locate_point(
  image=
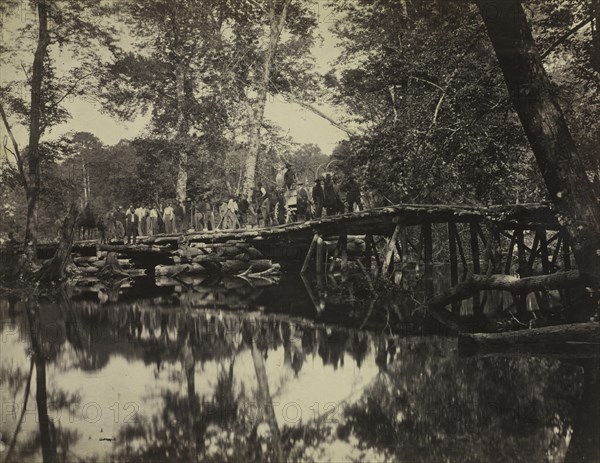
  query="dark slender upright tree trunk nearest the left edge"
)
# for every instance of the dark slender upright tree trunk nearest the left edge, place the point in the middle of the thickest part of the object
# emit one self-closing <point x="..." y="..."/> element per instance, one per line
<point x="35" y="130"/>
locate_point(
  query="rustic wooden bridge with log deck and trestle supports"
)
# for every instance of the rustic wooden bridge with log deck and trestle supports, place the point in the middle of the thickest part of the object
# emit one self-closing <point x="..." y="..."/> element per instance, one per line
<point x="494" y="239"/>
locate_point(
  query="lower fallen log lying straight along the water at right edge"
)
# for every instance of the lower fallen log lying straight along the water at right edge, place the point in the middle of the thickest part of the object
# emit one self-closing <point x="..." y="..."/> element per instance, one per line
<point x="585" y="334"/>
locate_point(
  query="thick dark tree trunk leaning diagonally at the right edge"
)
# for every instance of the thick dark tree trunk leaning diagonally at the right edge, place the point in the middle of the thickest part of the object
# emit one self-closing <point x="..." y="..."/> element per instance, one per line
<point x="542" y="118"/>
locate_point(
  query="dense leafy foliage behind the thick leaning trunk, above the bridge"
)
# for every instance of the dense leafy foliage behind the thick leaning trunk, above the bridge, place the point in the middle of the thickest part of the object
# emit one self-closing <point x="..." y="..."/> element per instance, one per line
<point x="438" y="126"/>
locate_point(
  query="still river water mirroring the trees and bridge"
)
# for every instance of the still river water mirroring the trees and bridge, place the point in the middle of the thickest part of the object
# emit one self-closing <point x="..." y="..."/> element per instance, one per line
<point x="222" y="370"/>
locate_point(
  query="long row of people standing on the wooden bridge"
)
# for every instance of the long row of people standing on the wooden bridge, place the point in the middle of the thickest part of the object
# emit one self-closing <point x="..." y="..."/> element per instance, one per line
<point x="267" y="206"/>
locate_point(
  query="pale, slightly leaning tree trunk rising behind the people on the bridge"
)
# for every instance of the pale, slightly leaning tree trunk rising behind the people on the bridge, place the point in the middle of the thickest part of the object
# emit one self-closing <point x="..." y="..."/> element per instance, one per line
<point x="277" y="23"/>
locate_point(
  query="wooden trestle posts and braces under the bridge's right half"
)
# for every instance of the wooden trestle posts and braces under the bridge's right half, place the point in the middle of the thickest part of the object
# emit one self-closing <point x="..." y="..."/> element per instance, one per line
<point x="476" y="247"/>
